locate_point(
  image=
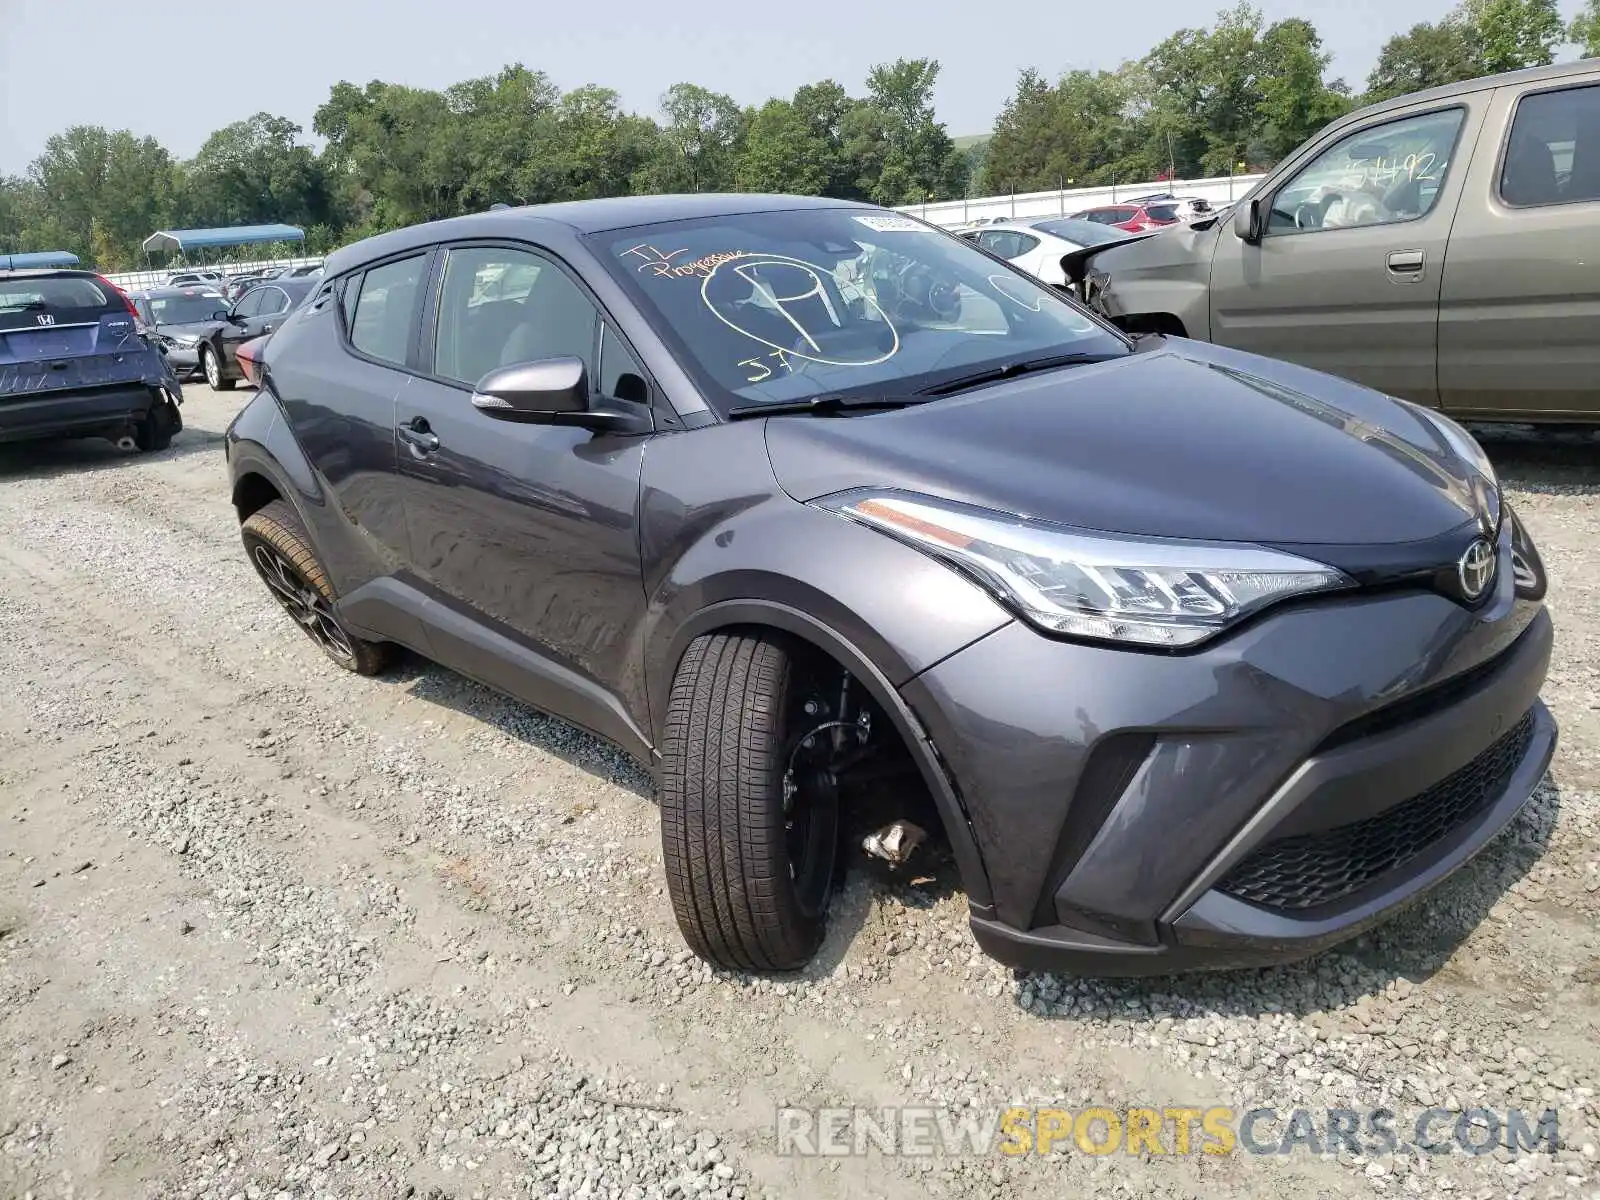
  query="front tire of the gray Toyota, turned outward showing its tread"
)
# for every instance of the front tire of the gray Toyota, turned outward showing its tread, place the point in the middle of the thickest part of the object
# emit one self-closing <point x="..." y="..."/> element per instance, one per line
<point x="750" y="868"/>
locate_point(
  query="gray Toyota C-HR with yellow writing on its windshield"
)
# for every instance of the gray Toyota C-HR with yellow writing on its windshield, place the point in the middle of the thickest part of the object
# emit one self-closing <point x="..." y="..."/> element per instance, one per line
<point x="1201" y="660"/>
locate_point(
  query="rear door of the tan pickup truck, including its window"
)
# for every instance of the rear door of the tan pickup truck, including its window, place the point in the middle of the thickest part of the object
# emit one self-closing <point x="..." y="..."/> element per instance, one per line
<point x="1519" y="329"/>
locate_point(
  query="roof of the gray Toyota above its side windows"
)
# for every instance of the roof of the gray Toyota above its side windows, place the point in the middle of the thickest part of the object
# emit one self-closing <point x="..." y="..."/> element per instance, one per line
<point x="582" y="217"/>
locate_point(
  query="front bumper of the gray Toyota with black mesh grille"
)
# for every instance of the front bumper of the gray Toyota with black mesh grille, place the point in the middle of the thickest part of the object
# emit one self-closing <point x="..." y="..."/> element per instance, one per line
<point x="1250" y="804"/>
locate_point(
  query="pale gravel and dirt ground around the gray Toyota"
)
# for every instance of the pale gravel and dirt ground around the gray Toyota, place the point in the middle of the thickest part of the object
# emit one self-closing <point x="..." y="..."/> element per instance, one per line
<point x="268" y="930"/>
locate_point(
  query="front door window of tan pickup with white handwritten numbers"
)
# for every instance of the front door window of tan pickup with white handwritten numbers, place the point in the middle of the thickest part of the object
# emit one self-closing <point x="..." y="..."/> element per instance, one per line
<point x="1374" y="177"/>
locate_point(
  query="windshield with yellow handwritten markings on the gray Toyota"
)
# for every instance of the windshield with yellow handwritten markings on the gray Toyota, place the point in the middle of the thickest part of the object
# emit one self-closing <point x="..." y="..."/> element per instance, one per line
<point x="820" y="302"/>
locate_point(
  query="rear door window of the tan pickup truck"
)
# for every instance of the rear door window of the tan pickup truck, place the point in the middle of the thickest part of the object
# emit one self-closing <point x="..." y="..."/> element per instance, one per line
<point x="1553" y="156"/>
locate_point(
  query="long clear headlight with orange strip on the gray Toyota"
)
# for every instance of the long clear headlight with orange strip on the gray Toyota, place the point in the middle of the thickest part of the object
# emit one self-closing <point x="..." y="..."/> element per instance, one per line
<point x="1103" y="586"/>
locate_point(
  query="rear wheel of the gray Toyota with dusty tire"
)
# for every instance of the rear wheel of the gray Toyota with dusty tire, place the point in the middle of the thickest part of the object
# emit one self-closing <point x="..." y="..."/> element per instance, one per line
<point x="281" y="551"/>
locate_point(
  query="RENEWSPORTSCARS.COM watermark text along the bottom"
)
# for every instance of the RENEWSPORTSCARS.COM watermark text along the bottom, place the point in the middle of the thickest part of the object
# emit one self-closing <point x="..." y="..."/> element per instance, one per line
<point x="1161" y="1130"/>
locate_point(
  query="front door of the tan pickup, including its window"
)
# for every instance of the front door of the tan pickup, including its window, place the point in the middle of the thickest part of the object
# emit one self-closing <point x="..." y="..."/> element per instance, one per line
<point x="1346" y="274"/>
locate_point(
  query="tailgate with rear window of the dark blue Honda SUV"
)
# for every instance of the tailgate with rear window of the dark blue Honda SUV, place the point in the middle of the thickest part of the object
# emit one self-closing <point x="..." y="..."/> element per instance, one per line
<point x="66" y="332"/>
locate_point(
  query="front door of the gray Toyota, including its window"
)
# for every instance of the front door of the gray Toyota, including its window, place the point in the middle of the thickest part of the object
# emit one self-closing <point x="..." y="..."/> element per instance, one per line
<point x="527" y="534"/>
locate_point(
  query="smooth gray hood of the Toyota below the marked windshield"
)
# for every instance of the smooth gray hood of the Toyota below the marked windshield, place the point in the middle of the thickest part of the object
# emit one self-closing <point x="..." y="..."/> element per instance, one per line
<point x="1180" y="441"/>
